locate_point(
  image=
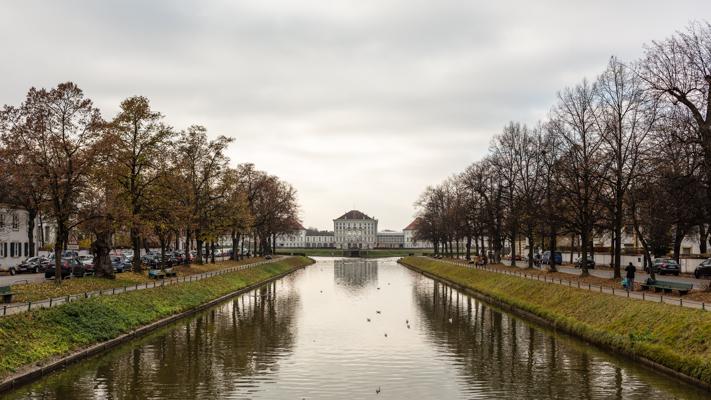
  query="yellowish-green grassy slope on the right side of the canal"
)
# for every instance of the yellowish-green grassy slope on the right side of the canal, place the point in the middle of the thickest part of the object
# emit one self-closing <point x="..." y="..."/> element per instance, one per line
<point x="678" y="338"/>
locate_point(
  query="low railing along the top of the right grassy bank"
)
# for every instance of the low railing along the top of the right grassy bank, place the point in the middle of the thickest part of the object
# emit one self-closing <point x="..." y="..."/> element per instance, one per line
<point x="678" y="301"/>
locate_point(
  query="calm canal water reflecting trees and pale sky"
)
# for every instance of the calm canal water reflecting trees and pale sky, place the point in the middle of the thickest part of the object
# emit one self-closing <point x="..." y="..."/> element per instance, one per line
<point x="308" y="336"/>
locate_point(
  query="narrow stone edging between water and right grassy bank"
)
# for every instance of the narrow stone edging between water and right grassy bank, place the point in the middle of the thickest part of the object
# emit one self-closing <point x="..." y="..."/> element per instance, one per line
<point x="527" y="315"/>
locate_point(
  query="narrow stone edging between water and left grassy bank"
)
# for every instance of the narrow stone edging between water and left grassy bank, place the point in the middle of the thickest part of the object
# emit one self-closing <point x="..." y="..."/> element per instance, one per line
<point x="38" y="371"/>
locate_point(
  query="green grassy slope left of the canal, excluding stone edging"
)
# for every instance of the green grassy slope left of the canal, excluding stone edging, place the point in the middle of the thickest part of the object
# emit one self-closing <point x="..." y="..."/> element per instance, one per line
<point x="34" y="337"/>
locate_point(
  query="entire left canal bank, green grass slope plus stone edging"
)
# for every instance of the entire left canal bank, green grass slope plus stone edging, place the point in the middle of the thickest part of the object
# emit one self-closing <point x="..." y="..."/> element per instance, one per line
<point x="31" y="344"/>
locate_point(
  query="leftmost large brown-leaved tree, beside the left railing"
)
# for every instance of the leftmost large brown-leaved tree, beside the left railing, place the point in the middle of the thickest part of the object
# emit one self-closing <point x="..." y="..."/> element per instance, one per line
<point x="56" y="131"/>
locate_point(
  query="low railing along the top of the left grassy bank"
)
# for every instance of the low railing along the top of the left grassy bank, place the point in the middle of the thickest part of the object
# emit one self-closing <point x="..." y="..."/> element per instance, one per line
<point x="16" y="308"/>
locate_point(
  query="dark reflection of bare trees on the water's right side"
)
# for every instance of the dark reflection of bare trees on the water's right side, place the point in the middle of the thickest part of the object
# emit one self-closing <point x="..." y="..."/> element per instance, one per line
<point x="505" y="357"/>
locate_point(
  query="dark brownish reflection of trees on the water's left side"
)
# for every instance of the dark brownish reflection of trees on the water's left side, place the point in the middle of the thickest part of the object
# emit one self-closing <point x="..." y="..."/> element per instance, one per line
<point x="219" y="352"/>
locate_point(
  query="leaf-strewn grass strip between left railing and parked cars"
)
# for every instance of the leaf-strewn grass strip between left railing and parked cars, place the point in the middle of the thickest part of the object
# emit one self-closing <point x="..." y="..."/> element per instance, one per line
<point x="48" y="289"/>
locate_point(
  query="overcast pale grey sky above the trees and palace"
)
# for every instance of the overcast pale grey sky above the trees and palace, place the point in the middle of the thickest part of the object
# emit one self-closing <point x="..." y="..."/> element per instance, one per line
<point x="358" y="104"/>
